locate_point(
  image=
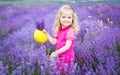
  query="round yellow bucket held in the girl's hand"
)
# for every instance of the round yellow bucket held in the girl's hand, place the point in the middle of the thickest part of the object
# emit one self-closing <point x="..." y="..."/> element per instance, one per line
<point x="40" y="36"/>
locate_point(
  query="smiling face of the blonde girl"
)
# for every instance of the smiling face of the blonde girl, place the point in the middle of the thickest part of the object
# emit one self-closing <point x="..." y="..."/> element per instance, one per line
<point x="66" y="18"/>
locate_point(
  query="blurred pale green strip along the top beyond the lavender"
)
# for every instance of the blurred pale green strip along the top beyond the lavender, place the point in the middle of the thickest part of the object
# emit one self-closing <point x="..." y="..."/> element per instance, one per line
<point x="59" y="1"/>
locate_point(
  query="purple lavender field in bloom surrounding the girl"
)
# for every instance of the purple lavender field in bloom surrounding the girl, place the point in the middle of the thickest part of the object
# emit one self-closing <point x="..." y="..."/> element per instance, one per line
<point x="97" y="46"/>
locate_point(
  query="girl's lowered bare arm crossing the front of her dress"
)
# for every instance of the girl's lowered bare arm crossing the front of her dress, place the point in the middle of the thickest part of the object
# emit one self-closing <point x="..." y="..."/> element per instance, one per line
<point x="63" y="49"/>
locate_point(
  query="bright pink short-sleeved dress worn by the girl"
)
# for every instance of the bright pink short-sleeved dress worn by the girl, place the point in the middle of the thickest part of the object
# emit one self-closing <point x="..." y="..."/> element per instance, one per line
<point x="68" y="56"/>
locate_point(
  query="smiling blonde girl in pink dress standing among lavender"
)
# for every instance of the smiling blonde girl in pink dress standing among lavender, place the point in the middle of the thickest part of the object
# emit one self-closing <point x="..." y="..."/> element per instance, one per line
<point x="65" y="28"/>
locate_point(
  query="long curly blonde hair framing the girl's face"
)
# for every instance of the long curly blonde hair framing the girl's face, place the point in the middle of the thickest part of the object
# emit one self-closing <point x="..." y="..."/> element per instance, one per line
<point x="57" y="24"/>
